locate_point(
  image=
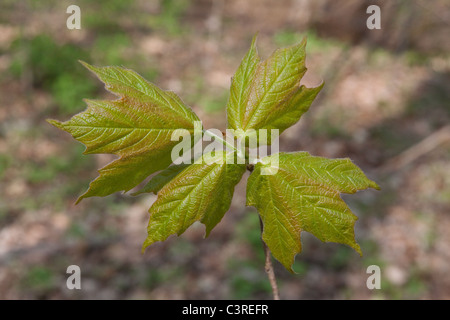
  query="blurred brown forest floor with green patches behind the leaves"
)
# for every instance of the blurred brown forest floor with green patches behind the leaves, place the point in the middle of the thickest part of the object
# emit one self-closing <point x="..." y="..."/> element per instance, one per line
<point x="385" y="104"/>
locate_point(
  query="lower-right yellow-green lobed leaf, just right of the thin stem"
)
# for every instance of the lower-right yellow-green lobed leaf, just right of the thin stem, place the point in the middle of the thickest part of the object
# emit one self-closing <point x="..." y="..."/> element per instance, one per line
<point x="303" y="194"/>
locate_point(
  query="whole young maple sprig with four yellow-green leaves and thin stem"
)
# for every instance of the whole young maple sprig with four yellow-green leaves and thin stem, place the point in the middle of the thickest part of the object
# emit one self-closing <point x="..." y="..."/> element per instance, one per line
<point x="296" y="193"/>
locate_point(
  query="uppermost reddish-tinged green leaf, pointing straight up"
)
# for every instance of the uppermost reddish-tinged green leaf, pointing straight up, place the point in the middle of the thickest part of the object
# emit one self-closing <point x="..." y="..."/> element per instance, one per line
<point x="268" y="94"/>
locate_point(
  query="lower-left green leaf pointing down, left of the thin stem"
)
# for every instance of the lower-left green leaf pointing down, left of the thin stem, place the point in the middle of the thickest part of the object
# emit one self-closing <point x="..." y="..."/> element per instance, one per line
<point x="201" y="192"/>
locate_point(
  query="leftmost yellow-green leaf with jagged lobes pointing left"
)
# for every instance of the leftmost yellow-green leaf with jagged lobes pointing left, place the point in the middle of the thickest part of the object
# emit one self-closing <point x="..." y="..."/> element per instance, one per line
<point x="137" y="127"/>
